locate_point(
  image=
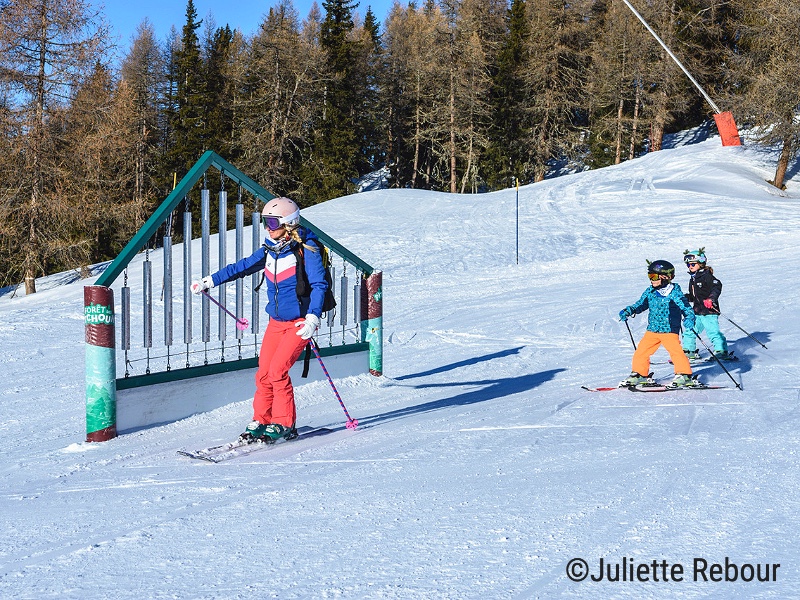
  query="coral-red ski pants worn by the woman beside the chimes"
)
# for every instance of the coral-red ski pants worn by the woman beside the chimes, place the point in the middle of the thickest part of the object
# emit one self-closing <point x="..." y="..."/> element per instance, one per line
<point x="274" y="398"/>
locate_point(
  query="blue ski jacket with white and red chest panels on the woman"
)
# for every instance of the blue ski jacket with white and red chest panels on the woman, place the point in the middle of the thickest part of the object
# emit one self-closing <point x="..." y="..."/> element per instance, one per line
<point x="280" y="270"/>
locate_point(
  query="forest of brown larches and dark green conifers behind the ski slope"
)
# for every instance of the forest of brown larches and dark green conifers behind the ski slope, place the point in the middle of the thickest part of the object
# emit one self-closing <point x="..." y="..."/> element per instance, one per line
<point x="464" y="96"/>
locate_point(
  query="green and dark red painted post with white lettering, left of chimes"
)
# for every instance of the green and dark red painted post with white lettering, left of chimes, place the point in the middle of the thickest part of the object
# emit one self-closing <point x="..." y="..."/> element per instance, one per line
<point x="101" y="371"/>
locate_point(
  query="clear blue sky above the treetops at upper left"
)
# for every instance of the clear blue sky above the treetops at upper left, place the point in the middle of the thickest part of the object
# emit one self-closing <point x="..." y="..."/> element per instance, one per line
<point x="125" y="15"/>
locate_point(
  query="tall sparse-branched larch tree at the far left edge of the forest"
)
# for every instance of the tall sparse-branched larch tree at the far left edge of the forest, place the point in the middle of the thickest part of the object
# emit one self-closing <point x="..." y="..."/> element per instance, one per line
<point x="46" y="48"/>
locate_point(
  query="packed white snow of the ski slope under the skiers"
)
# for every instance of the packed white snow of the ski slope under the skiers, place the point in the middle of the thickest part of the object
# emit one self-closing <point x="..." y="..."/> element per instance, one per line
<point x="480" y="468"/>
